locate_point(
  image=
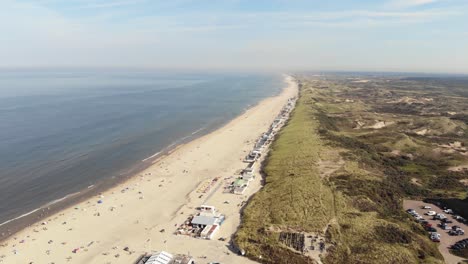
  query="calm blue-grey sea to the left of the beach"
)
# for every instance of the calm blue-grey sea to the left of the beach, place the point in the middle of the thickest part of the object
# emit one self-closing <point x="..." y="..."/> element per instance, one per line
<point x="61" y="131"/>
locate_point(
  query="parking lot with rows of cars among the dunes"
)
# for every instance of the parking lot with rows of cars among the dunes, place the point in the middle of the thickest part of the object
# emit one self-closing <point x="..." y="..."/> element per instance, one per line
<point x="446" y="240"/>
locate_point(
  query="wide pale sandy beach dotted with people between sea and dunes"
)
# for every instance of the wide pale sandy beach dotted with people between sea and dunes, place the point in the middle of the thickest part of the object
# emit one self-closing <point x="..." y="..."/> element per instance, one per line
<point x="134" y="213"/>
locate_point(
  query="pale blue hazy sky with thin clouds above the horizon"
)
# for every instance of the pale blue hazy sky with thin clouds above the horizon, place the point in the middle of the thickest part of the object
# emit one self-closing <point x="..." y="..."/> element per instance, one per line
<point x="390" y="35"/>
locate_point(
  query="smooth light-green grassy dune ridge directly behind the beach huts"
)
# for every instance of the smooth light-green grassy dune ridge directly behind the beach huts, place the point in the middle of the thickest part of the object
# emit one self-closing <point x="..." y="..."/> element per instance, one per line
<point x="294" y="197"/>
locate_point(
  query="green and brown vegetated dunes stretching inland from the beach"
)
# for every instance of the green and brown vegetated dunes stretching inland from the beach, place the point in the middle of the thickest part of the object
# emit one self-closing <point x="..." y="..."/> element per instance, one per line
<point x="341" y="167"/>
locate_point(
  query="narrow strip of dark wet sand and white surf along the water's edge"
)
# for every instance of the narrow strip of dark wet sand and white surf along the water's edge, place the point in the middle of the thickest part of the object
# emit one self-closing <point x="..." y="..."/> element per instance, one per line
<point x="12" y="226"/>
